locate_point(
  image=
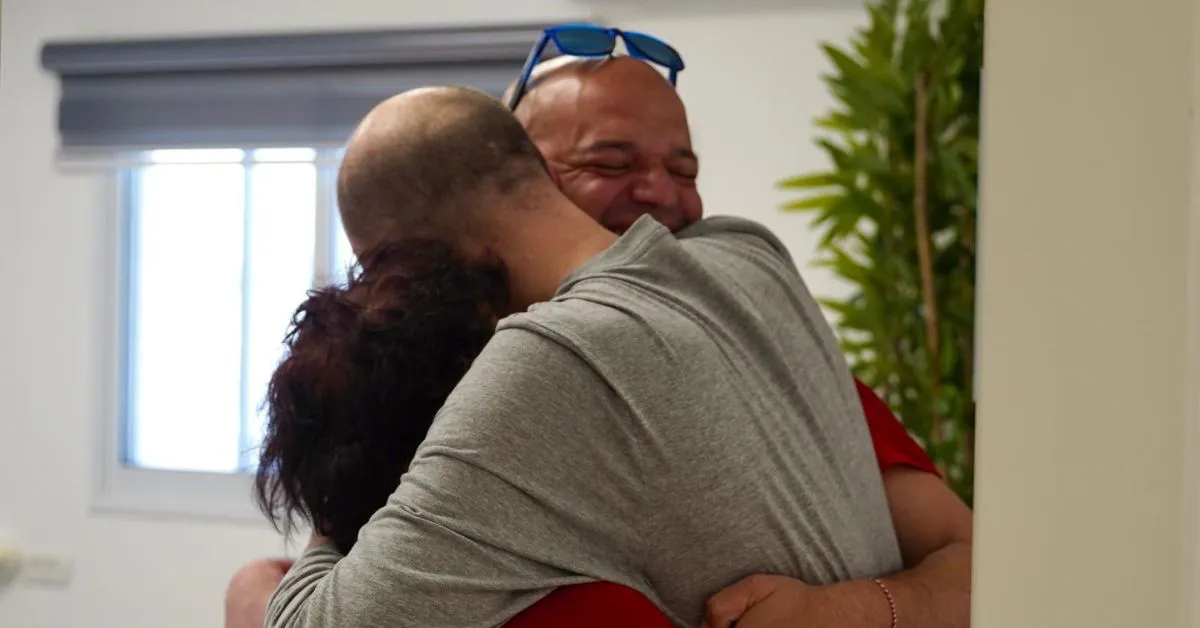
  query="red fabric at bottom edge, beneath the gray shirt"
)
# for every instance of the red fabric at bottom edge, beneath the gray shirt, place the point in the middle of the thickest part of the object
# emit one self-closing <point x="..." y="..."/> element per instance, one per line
<point x="592" y="606"/>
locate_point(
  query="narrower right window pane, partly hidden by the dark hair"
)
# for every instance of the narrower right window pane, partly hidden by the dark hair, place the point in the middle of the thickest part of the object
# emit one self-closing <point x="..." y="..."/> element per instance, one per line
<point x="283" y="237"/>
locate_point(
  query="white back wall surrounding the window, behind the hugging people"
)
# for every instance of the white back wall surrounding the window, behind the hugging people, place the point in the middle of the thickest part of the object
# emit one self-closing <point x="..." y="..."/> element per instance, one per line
<point x="752" y="88"/>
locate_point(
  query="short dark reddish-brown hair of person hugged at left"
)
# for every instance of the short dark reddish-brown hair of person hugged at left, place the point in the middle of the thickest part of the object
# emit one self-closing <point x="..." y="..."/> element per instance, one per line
<point x="369" y="366"/>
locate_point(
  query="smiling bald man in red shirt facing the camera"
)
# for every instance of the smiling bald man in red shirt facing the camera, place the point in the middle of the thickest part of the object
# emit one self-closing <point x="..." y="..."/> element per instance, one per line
<point x="617" y="141"/>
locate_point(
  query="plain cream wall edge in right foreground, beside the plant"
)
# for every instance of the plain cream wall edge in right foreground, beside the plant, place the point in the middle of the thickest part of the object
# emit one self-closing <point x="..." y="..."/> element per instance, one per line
<point x="1088" y="402"/>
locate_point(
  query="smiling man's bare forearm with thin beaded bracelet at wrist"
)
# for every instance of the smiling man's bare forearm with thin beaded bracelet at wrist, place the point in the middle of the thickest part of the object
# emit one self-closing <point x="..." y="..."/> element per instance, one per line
<point x="935" y="594"/>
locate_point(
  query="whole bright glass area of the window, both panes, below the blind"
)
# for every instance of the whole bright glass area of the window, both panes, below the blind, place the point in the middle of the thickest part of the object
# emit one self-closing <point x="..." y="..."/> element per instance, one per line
<point x="223" y="246"/>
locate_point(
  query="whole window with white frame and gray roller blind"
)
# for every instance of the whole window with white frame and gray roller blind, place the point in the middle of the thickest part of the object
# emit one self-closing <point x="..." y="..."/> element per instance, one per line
<point x="223" y="152"/>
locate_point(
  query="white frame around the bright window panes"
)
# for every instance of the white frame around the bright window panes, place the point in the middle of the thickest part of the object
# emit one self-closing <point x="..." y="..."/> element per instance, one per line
<point x="122" y="489"/>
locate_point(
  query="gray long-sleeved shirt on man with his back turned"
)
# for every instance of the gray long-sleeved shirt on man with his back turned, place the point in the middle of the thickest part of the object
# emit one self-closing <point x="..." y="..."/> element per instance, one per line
<point x="679" y="417"/>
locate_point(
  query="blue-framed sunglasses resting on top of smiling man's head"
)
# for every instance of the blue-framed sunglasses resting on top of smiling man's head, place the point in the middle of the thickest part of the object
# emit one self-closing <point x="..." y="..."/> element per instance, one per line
<point x="589" y="40"/>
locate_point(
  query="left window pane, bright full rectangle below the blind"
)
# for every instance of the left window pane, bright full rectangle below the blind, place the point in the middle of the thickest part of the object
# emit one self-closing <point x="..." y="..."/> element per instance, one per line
<point x="185" y="354"/>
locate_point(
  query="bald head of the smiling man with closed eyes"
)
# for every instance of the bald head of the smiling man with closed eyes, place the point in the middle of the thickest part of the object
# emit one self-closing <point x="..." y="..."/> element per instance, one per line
<point x="615" y="135"/>
